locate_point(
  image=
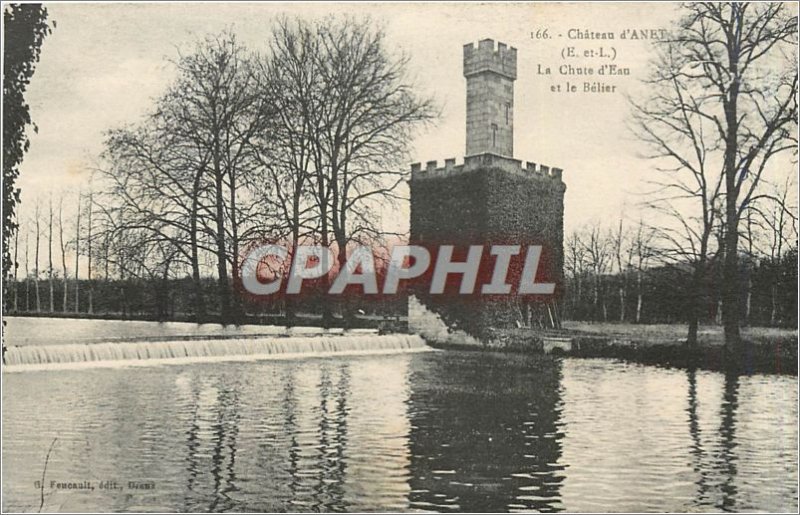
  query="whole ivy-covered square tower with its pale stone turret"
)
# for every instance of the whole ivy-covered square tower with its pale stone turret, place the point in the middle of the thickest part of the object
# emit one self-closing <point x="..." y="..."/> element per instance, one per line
<point x="491" y="198"/>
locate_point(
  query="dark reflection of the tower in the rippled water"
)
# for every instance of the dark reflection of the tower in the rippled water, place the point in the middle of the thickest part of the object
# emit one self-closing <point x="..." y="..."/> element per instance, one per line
<point x="486" y="434"/>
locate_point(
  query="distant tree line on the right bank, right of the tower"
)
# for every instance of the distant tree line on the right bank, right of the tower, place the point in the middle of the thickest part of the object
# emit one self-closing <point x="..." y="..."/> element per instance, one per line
<point x="631" y="274"/>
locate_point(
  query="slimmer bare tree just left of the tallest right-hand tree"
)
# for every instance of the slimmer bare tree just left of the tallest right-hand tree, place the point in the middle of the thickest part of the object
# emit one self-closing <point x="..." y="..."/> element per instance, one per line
<point x="688" y="190"/>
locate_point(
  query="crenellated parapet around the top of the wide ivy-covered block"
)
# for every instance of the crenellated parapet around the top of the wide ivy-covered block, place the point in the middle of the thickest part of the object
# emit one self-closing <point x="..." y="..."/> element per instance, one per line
<point x="528" y="169"/>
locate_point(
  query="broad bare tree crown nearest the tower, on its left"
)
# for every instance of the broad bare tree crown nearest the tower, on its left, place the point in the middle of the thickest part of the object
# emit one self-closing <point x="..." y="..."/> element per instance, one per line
<point x="356" y="113"/>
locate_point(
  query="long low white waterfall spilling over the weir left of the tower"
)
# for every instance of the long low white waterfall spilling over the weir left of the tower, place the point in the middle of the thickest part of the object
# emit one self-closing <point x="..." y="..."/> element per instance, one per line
<point x="78" y="355"/>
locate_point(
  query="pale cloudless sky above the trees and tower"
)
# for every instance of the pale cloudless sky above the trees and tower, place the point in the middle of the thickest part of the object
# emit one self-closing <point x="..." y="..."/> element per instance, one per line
<point x="104" y="65"/>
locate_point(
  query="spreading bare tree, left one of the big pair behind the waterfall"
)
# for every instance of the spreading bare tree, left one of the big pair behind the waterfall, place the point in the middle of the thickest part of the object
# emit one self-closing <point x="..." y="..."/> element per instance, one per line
<point x="185" y="177"/>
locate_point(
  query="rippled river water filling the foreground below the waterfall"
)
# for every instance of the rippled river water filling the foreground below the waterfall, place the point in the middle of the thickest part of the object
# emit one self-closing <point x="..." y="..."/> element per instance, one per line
<point x="441" y="431"/>
